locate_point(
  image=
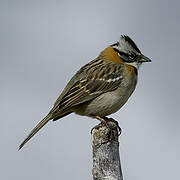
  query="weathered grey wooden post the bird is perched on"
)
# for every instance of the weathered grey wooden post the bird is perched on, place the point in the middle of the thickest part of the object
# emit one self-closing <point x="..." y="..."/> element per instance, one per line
<point x="106" y="159"/>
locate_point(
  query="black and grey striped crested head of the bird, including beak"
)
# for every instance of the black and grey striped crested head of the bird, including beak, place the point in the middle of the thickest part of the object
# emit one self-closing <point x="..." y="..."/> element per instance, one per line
<point x="129" y="52"/>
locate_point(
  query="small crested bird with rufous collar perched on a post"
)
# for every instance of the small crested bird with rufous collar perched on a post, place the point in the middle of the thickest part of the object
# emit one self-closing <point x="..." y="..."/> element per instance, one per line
<point x="100" y="87"/>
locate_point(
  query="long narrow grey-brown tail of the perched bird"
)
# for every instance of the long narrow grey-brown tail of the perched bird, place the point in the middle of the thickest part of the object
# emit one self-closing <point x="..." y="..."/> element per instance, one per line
<point x="36" y="129"/>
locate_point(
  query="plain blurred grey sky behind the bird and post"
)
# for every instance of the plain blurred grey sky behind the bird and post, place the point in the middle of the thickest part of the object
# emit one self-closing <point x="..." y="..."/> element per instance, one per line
<point x="43" y="43"/>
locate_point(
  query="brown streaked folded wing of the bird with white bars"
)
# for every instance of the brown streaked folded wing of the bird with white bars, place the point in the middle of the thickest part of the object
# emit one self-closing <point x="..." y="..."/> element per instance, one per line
<point x="90" y="81"/>
